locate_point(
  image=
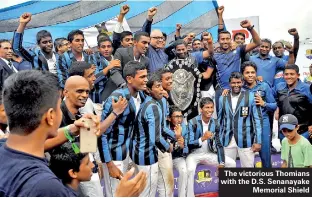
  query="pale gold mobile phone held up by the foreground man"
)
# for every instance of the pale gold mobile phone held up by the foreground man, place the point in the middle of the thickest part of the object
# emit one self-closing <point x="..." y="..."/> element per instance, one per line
<point x="88" y="139"/>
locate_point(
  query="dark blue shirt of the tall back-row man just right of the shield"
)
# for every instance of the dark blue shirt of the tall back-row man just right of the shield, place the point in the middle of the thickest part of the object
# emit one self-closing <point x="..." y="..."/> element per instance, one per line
<point x="228" y="63"/>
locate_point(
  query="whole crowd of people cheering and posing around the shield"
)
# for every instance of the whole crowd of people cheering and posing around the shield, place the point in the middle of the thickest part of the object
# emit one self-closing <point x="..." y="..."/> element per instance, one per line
<point x="155" y="107"/>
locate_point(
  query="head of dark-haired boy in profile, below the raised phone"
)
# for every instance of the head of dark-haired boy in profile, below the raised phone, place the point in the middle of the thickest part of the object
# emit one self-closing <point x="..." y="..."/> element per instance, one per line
<point x="71" y="168"/>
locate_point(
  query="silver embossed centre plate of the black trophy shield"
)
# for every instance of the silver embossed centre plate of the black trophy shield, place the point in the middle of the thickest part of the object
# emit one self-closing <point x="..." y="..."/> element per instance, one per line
<point x="182" y="88"/>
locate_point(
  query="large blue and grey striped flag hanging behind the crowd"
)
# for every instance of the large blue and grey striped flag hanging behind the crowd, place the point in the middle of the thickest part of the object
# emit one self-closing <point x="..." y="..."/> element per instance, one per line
<point x="60" y="17"/>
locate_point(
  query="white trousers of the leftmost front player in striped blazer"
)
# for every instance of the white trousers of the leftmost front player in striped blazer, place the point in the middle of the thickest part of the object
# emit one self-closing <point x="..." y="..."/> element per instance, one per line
<point x="111" y="183"/>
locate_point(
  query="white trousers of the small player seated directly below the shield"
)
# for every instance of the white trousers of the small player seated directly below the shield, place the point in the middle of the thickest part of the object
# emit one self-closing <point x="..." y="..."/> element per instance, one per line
<point x="180" y="165"/>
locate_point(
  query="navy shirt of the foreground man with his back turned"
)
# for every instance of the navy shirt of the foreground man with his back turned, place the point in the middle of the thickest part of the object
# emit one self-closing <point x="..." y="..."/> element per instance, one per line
<point x="25" y="175"/>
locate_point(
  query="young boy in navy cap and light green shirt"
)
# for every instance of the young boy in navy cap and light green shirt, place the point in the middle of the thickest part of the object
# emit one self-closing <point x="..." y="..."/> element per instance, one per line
<point x="296" y="150"/>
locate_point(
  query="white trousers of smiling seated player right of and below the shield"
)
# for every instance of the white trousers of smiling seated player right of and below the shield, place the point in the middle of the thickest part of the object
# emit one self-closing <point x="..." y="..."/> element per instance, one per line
<point x="202" y="156"/>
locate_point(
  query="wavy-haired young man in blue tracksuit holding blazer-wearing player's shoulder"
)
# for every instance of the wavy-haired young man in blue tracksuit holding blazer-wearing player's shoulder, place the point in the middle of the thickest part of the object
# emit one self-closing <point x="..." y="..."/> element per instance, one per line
<point x="265" y="100"/>
